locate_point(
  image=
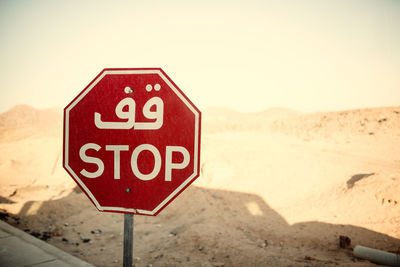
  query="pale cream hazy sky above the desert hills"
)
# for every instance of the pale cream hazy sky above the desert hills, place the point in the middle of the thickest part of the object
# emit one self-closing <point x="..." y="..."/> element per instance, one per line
<point x="244" y="55"/>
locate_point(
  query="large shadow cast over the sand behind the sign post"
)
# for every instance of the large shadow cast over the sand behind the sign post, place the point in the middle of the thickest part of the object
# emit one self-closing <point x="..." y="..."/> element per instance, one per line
<point x="202" y="227"/>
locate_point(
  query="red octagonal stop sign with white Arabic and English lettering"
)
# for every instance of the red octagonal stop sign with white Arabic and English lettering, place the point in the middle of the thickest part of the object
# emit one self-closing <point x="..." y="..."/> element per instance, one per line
<point x="132" y="140"/>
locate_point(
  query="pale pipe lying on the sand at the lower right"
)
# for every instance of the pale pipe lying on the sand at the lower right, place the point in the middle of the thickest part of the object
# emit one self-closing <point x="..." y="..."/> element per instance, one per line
<point x="377" y="256"/>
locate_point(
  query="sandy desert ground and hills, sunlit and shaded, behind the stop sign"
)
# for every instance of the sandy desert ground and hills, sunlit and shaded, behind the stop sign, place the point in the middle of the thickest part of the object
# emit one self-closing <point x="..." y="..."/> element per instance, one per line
<point x="277" y="188"/>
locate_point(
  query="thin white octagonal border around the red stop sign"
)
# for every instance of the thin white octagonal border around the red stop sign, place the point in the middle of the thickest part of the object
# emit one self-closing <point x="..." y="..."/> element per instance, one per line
<point x="196" y="139"/>
